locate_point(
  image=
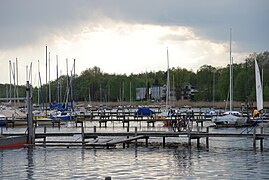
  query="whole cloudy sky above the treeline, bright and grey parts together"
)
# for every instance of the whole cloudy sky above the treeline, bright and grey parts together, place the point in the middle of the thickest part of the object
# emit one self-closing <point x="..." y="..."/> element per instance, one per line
<point x="125" y="37"/>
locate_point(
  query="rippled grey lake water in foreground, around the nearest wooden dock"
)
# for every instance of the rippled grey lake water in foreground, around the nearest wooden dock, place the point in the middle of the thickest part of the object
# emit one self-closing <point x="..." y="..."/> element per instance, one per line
<point x="232" y="158"/>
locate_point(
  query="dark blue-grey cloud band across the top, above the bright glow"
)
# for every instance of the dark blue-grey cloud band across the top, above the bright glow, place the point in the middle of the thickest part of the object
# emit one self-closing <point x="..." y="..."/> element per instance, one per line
<point x="28" y="21"/>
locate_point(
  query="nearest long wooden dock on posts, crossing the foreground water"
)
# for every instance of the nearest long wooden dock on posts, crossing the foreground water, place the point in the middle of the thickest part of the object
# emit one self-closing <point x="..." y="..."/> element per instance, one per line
<point x="95" y="139"/>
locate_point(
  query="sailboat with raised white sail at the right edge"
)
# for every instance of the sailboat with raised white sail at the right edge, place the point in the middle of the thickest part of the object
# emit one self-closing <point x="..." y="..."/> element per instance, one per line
<point x="263" y="119"/>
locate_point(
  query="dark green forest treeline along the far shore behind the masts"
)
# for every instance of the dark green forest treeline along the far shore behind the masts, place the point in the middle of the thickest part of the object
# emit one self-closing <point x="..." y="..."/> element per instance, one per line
<point x="211" y="83"/>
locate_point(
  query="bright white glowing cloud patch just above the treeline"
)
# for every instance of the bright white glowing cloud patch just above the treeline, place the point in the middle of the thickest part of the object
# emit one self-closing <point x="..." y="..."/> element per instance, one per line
<point x="122" y="48"/>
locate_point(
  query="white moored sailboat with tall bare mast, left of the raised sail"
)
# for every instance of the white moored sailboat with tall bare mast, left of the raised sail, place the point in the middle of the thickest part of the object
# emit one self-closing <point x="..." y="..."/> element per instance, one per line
<point x="230" y="117"/>
